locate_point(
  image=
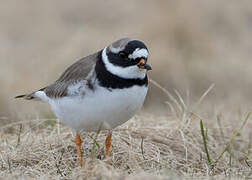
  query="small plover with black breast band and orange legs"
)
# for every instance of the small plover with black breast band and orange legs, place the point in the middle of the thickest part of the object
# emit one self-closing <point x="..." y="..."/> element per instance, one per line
<point x="100" y="91"/>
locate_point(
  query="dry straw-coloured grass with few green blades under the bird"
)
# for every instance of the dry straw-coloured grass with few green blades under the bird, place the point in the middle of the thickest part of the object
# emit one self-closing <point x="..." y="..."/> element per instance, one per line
<point x="181" y="145"/>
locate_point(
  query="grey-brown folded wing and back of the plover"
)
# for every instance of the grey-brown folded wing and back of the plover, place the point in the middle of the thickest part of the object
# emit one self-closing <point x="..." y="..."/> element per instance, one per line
<point x="76" y="72"/>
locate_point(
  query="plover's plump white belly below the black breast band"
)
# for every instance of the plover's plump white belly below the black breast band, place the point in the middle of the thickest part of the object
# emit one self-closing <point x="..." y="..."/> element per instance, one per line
<point x="99" y="109"/>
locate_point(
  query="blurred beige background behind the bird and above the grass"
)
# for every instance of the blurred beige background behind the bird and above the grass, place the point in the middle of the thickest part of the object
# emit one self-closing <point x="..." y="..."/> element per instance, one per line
<point x="192" y="45"/>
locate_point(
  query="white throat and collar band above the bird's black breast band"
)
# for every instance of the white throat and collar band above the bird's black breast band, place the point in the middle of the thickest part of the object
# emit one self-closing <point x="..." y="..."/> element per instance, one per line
<point x="130" y="72"/>
